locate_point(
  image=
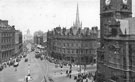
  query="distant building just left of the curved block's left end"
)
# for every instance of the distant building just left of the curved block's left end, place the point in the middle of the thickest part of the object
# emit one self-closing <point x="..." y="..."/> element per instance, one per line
<point x="38" y="38"/>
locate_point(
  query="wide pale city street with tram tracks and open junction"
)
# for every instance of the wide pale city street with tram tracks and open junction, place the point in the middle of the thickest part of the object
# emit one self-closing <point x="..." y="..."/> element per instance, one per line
<point x="39" y="70"/>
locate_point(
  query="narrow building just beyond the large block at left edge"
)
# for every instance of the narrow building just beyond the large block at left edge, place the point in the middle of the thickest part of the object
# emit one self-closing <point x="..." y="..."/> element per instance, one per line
<point x="18" y="43"/>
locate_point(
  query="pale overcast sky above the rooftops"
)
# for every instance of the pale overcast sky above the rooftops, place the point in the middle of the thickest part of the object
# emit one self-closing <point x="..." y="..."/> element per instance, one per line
<point x="45" y="15"/>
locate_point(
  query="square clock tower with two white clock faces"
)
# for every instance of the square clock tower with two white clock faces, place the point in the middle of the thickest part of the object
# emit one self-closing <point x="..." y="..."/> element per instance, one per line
<point x="111" y="10"/>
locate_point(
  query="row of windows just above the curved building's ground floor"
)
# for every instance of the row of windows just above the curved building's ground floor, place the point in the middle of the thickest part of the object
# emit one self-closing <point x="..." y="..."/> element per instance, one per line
<point x="76" y="51"/>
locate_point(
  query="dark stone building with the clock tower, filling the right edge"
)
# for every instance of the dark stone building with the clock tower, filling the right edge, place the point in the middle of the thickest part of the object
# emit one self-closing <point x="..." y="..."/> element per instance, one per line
<point x="115" y="59"/>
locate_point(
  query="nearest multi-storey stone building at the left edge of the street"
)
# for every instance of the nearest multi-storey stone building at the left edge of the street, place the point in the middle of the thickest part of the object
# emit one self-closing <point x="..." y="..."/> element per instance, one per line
<point x="7" y="41"/>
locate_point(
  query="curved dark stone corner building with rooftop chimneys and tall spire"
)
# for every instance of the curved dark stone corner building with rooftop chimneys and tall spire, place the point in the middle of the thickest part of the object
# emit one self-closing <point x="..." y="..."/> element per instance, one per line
<point x="75" y="44"/>
